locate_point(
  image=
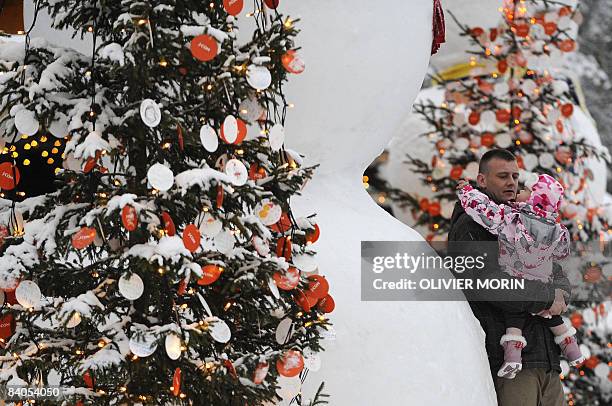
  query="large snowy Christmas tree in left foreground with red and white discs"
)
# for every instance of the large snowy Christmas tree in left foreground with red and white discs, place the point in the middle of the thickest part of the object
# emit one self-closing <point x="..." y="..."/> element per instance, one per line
<point x="168" y="266"/>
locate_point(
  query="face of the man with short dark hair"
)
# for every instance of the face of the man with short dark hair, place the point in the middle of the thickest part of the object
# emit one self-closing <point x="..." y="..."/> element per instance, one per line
<point x="501" y="180"/>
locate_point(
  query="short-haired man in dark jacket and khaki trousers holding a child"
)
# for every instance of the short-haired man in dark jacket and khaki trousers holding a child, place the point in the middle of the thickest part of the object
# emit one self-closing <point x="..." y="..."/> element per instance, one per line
<point x="538" y="383"/>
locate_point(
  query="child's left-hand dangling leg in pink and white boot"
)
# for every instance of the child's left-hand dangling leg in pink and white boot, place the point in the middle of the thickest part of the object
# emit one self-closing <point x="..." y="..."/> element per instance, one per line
<point x="513" y="343"/>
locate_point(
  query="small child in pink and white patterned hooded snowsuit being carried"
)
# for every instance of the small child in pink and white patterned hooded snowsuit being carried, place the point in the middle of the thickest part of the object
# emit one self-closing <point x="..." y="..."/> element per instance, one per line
<point x="530" y="239"/>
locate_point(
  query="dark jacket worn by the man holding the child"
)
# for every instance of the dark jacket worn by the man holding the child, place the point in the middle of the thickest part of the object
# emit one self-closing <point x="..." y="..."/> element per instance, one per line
<point x="541" y="350"/>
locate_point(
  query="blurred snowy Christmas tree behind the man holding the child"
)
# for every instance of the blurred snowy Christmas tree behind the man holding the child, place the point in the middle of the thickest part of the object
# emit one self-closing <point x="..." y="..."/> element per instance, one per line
<point x="513" y="97"/>
